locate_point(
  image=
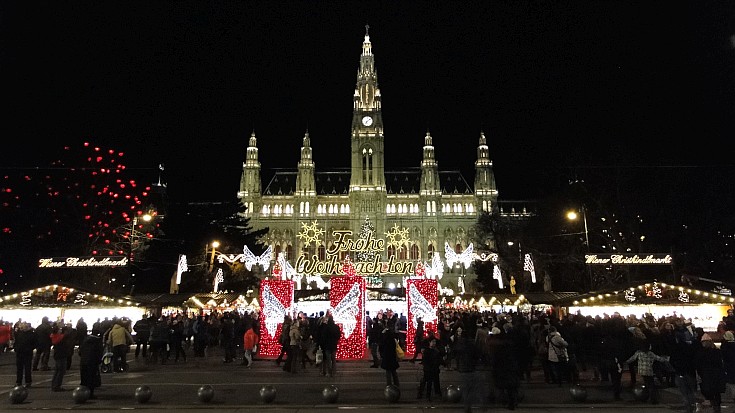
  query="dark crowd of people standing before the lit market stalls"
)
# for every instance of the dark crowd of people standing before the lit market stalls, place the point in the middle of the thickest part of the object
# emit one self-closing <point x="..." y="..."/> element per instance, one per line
<point x="493" y="352"/>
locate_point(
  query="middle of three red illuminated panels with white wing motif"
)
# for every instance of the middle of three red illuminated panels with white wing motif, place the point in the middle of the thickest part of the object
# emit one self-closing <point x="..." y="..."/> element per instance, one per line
<point x="347" y="300"/>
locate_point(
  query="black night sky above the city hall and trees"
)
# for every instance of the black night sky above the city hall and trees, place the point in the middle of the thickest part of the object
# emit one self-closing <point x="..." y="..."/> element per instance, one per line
<point x="560" y="88"/>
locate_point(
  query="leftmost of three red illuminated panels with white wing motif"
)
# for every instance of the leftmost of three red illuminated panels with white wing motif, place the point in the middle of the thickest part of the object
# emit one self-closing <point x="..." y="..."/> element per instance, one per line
<point x="276" y="301"/>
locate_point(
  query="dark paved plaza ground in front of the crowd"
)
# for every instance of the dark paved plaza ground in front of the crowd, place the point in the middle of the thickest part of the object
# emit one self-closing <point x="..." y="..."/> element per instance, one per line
<point x="175" y="387"/>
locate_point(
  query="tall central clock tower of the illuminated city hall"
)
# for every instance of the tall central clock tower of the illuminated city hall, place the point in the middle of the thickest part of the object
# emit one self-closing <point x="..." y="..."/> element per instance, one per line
<point x="367" y="180"/>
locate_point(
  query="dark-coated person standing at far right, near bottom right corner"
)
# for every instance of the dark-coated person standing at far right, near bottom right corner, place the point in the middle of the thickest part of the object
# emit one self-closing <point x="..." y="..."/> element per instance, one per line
<point x="711" y="370"/>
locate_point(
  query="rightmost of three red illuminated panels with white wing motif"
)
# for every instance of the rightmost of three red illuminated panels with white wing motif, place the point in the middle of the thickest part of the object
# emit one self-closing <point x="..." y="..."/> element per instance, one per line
<point x="422" y="299"/>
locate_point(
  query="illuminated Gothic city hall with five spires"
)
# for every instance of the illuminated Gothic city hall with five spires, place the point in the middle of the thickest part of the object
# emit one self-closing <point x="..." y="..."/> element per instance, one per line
<point x="407" y="214"/>
